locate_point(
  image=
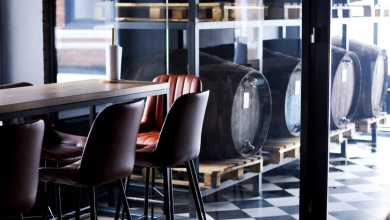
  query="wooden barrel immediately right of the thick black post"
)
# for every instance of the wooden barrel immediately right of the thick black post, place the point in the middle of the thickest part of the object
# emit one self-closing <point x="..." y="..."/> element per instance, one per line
<point x="345" y="87"/>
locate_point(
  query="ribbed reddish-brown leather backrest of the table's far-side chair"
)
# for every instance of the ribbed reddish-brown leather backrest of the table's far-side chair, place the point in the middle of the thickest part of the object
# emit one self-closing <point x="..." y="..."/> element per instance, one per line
<point x="179" y="85"/>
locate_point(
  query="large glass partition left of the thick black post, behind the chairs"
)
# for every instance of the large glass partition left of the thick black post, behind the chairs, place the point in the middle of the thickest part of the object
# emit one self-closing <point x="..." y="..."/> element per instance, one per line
<point x="247" y="53"/>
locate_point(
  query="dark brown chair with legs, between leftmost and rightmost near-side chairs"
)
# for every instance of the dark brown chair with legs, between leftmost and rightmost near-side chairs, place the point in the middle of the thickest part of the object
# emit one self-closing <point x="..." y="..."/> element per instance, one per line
<point x="108" y="155"/>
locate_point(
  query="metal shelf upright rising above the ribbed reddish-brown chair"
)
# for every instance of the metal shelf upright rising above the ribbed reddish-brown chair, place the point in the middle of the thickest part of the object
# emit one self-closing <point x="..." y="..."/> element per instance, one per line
<point x="193" y="38"/>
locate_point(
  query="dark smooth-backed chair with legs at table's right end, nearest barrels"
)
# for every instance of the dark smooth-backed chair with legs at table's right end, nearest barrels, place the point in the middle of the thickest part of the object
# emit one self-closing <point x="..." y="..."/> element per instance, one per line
<point x="178" y="143"/>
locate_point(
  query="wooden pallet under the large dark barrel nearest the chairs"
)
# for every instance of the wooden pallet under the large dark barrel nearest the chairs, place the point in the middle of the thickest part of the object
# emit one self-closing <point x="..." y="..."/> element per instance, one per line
<point x="215" y="171"/>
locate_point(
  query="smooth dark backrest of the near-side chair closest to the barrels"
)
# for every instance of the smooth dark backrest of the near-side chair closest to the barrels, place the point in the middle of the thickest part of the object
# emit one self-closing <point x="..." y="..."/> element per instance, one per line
<point x="180" y="136"/>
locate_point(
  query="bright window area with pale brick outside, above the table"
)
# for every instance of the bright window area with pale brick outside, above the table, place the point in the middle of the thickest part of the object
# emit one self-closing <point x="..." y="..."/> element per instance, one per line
<point x="81" y="38"/>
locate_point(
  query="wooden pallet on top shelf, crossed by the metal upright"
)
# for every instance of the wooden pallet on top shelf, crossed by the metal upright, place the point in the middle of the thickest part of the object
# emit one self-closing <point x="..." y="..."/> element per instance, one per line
<point x="179" y="11"/>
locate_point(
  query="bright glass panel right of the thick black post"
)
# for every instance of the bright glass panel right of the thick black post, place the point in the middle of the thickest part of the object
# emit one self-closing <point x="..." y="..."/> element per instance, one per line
<point x="359" y="179"/>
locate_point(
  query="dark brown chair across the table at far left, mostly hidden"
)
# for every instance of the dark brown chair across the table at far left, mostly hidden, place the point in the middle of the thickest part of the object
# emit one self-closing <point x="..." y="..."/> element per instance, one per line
<point x="56" y="146"/>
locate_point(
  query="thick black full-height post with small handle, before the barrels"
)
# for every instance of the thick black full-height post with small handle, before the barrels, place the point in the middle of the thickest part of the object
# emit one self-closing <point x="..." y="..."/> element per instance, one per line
<point x="315" y="109"/>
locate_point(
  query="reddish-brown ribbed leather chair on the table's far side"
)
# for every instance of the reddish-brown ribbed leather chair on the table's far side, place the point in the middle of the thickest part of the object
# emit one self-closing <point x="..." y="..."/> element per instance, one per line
<point x="152" y="119"/>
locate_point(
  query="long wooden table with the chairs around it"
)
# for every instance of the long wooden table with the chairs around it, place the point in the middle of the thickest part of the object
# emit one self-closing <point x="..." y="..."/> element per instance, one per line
<point x="33" y="100"/>
